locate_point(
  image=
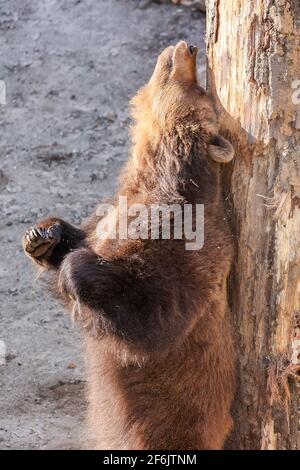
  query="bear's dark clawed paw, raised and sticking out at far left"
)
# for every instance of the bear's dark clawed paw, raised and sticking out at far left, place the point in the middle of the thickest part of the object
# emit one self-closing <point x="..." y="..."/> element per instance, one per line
<point x="39" y="240"/>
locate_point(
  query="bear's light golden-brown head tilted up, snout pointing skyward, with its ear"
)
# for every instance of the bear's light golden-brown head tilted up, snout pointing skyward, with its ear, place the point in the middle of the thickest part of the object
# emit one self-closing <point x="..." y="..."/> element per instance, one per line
<point x="173" y="98"/>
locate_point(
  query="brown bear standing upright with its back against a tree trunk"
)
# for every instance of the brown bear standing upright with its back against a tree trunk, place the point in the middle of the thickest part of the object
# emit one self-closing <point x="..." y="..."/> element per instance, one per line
<point x="154" y="315"/>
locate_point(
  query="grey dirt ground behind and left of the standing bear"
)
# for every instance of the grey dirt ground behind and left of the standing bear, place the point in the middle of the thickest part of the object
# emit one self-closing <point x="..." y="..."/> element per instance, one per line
<point x="69" y="67"/>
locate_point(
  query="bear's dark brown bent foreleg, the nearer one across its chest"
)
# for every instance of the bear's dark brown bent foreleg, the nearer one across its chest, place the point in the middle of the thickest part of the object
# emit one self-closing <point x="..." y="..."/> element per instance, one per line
<point x="127" y="299"/>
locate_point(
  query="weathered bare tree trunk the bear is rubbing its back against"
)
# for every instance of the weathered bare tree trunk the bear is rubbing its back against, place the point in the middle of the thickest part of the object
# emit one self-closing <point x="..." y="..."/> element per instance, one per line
<point x="254" y="70"/>
